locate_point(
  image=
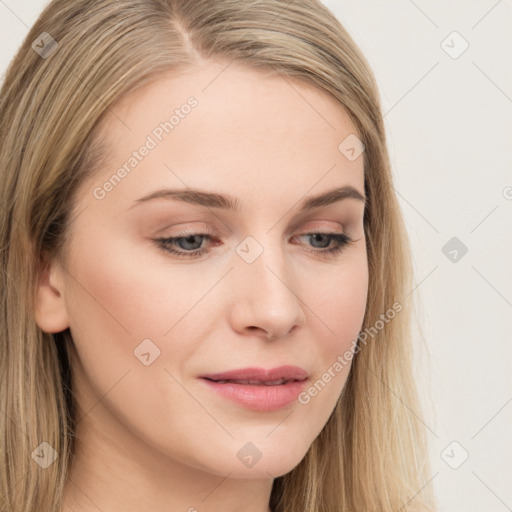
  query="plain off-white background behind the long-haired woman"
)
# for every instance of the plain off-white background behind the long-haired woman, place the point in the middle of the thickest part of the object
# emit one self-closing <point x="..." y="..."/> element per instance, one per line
<point x="449" y="124"/>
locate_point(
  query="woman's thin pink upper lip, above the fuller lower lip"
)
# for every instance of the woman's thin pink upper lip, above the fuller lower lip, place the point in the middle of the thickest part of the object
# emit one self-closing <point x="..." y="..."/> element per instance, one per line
<point x="260" y="376"/>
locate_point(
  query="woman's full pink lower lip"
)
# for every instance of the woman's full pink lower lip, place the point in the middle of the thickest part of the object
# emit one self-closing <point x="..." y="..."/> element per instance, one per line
<point x="259" y="397"/>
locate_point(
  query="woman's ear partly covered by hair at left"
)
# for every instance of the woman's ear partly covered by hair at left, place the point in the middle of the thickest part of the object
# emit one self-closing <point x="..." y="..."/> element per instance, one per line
<point x="50" y="308"/>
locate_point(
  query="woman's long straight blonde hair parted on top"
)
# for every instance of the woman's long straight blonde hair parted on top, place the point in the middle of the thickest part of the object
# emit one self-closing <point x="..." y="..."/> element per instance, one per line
<point x="371" y="455"/>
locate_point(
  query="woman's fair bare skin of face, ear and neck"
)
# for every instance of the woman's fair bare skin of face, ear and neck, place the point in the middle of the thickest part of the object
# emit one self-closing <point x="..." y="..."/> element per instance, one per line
<point x="154" y="437"/>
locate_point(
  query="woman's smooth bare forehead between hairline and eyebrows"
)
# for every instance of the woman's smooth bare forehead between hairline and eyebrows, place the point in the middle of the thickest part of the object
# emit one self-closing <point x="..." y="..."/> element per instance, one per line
<point x="253" y="130"/>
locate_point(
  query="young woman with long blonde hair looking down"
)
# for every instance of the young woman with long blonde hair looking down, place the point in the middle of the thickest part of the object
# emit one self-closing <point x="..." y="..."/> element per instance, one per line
<point x="205" y="270"/>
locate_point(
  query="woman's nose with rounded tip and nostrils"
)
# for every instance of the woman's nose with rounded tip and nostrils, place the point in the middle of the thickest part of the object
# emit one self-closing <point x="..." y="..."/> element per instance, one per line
<point x="265" y="302"/>
